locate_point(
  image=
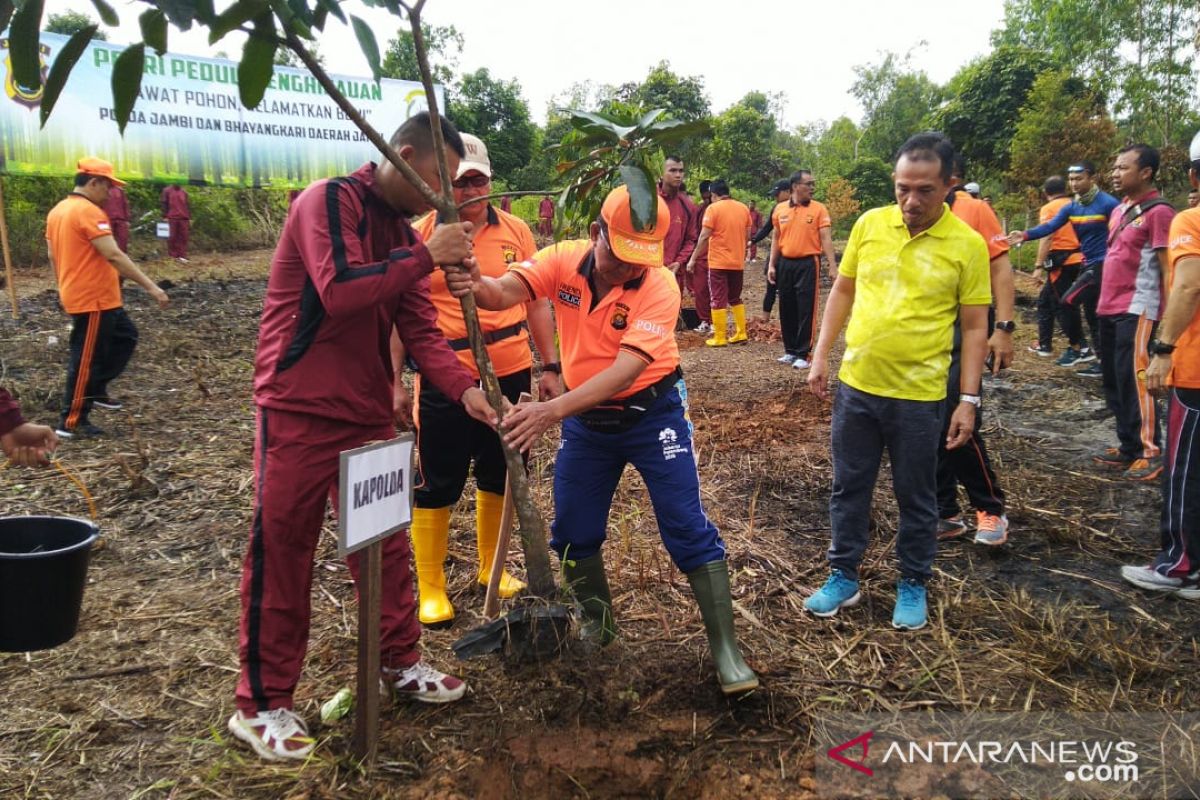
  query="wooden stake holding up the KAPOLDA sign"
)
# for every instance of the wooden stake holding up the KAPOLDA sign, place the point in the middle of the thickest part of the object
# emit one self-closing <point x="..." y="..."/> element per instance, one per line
<point x="367" y="718"/>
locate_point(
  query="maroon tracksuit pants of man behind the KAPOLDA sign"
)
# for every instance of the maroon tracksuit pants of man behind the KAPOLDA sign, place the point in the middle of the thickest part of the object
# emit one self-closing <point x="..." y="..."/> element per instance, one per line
<point x="296" y="471"/>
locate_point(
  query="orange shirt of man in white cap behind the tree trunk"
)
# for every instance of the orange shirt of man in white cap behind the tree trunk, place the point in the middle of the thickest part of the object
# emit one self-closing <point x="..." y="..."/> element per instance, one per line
<point x="502" y="242"/>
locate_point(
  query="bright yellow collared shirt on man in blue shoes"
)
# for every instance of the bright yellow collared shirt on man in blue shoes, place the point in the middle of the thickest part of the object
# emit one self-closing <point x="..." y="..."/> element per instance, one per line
<point x="908" y="292"/>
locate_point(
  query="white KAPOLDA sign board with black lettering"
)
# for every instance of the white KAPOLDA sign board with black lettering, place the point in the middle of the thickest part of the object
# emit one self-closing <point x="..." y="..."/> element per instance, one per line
<point x="376" y="494"/>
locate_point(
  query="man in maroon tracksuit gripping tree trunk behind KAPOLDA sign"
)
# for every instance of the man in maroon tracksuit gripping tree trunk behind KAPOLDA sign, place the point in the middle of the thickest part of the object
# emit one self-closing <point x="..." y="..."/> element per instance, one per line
<point x="349" y="269"/>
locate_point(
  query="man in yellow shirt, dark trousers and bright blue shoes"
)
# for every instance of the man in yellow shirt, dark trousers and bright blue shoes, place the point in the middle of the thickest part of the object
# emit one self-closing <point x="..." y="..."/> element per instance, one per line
<point x="909" y="272"/>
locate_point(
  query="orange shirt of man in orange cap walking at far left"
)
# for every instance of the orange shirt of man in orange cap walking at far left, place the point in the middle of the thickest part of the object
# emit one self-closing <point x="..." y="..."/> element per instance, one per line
<point x="87" y="281"/>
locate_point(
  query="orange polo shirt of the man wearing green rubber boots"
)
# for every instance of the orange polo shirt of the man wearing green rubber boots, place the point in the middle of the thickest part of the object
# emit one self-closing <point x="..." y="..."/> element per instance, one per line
<point x="638" y="317"/>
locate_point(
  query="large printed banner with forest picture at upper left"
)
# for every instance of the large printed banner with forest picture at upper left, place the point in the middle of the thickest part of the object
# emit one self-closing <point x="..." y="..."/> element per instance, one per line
<point x="189" y="124"/>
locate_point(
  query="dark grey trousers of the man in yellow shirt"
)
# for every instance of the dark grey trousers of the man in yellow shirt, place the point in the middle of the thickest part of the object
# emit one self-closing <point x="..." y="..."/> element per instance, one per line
<point x="863" y="426"/>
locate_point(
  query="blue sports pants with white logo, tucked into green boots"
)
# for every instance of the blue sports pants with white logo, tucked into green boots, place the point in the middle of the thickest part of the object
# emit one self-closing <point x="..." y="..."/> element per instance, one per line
<point x="590" y="466"/>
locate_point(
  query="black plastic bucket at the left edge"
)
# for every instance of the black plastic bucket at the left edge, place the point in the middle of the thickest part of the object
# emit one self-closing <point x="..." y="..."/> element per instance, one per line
<point x="44" y="569"/>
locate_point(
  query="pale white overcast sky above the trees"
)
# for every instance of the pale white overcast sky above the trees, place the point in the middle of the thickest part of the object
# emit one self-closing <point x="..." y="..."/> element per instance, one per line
<point x="805" y="50"/>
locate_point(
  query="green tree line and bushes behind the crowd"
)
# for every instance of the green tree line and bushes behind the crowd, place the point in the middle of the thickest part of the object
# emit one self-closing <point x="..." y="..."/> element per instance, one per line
<point x="1063" y="81"/>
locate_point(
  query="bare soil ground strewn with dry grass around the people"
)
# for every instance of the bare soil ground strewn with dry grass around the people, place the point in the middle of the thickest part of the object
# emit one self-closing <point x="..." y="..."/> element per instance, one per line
<point x="136" y="705"/>
